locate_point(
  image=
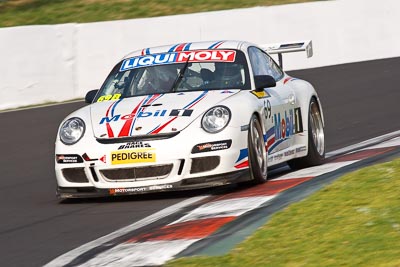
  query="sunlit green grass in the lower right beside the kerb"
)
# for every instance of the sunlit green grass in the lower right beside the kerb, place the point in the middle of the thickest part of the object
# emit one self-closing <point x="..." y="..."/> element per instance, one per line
<point x="353" y="222"/>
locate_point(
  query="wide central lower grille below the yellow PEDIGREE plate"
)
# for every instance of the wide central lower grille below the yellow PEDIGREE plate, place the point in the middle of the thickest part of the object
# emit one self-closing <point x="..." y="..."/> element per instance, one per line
<point x="138" y="173"/>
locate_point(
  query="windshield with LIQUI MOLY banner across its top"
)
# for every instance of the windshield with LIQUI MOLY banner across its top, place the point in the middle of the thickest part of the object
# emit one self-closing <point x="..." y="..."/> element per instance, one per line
<point x="176" y="72"/>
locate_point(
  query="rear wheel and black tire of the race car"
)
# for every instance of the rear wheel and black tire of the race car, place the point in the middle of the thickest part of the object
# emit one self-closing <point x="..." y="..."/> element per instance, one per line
<point x="316" y="140"/>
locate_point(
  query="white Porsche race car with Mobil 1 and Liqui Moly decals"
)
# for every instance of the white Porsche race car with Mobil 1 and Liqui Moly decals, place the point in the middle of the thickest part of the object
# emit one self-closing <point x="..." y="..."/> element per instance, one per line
<point x="190" y="115"/>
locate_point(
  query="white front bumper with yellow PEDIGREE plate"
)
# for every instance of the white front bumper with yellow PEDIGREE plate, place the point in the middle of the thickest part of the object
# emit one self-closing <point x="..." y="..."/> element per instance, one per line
<point x="185" y="161"/>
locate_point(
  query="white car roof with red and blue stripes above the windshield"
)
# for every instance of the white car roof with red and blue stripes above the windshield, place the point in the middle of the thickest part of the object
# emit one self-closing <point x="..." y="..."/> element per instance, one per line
<point x="209" y="45"/>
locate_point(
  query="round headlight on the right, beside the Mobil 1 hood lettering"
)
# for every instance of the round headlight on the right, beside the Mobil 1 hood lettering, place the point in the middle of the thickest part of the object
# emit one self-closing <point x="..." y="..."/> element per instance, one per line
<point x="216" y="119"/>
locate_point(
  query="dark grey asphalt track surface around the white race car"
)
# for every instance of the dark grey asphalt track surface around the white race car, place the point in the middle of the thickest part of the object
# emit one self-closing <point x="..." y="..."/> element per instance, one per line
<point x="360" y="101"/>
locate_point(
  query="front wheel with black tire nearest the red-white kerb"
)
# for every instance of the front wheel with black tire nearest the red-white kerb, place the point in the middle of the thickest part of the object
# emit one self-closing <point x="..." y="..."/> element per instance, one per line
<point x="257" y="152"/>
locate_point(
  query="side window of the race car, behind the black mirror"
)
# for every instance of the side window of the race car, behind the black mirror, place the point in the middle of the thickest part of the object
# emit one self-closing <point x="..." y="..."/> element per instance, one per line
<point x="263" y="64"/>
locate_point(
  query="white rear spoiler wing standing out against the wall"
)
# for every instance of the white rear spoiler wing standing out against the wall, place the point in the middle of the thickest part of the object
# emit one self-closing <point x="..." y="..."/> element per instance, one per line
<point x="280" y="48"/>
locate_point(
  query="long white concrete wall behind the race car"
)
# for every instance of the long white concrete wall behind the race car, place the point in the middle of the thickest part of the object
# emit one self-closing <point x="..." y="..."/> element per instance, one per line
<point x="61" y="62"/>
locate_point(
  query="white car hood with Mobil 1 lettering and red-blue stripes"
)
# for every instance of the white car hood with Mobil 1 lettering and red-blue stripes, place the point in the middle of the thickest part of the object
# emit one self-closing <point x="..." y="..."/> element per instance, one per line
<point x="152" y="114"/>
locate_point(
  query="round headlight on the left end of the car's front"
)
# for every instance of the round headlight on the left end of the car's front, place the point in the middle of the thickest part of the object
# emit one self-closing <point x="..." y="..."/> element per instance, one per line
<point x="72" y="130"/>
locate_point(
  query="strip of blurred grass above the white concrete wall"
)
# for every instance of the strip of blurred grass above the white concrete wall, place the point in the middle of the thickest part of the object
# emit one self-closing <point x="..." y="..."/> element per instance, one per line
<point x="28" y="12"/>
